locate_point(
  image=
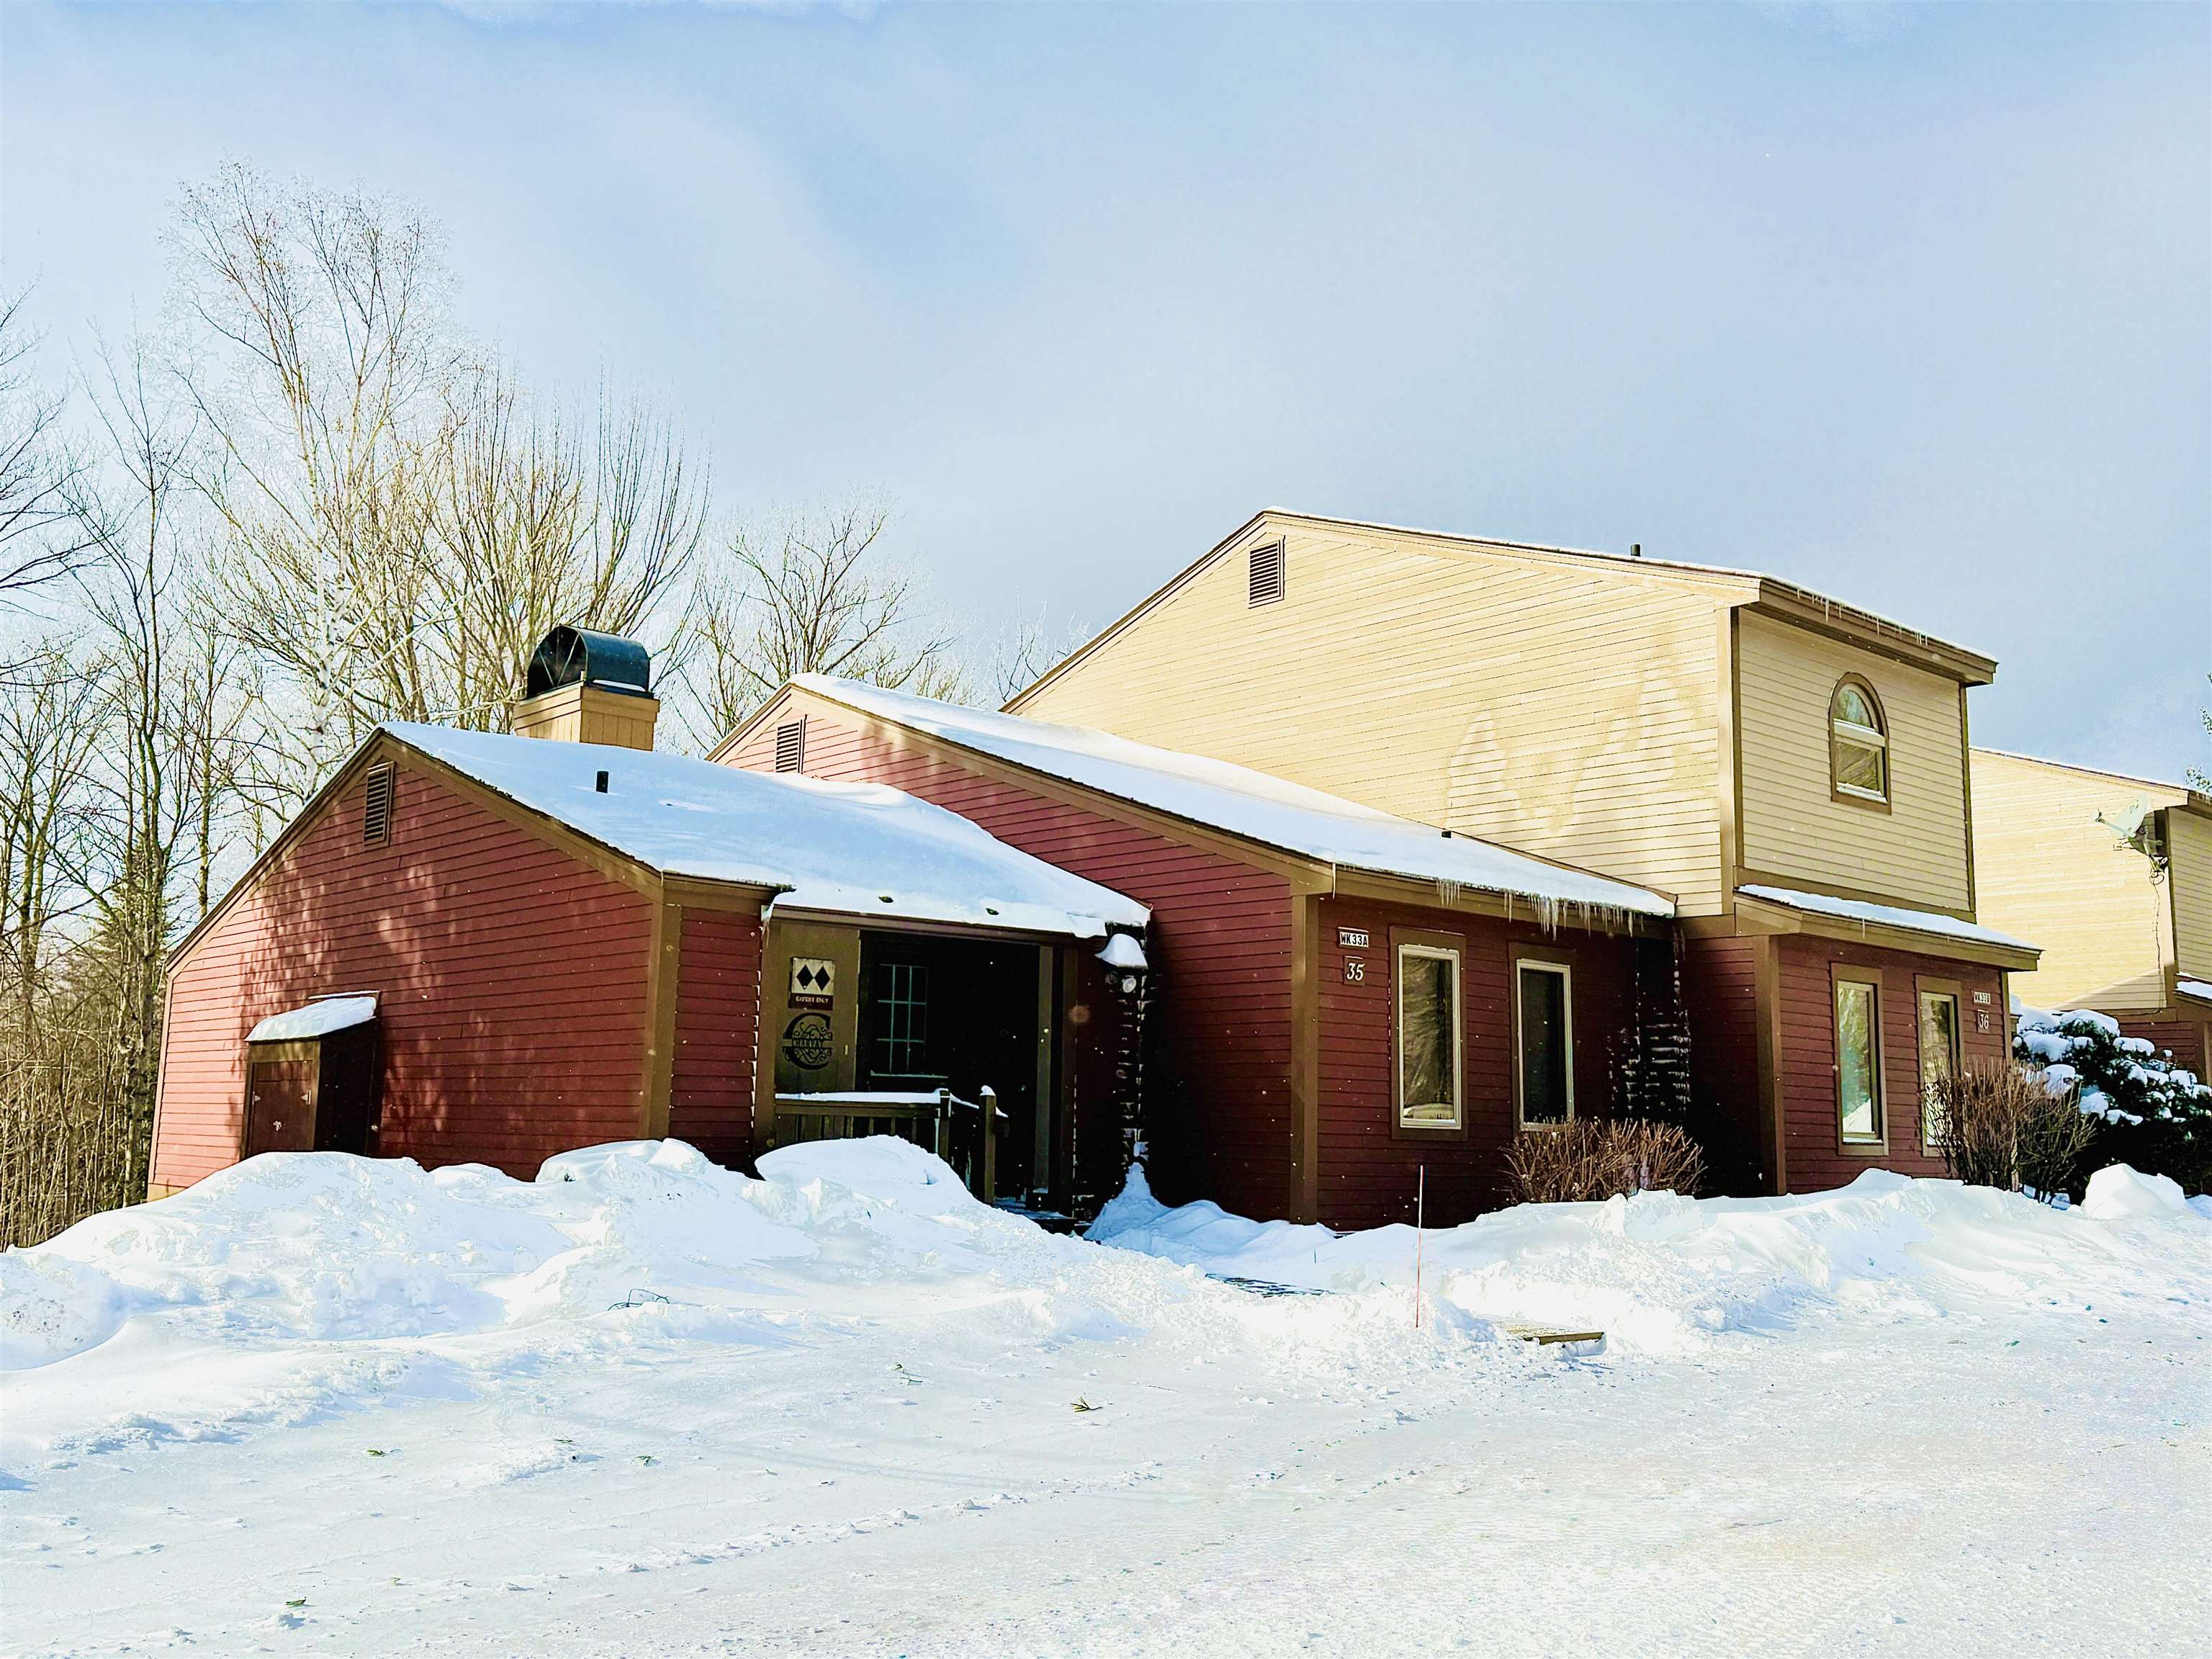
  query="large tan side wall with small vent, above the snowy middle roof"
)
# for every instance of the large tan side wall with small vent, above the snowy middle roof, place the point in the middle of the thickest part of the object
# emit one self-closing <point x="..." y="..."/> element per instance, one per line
<point x="1552" y="707"/>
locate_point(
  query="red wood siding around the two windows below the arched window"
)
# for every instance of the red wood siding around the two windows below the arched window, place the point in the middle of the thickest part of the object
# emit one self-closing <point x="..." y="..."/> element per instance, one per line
<point x="1815" y="1158"/>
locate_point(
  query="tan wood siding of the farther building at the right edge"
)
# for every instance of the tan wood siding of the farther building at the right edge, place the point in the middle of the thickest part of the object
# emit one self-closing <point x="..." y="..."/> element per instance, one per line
<point x="2052" y="875"/>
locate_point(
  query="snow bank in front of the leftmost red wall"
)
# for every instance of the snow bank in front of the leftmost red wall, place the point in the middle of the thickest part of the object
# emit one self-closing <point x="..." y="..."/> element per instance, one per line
<point x="342" y="1249"/>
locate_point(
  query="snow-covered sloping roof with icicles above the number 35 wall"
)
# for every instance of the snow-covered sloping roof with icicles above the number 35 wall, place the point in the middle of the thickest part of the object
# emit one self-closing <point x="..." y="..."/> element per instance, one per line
<point x="1244" y="802"/>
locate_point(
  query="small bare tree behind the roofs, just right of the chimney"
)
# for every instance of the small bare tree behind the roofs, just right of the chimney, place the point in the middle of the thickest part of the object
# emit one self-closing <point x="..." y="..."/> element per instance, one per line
<point x="811" y="596"/>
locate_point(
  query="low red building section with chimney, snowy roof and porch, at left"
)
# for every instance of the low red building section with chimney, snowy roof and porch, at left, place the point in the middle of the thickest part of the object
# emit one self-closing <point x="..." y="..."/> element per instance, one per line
<point x="477" y="948"/>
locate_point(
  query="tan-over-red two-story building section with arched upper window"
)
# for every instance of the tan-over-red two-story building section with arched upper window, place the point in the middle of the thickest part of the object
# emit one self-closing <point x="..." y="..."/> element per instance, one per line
<point x="1791" y="769"/>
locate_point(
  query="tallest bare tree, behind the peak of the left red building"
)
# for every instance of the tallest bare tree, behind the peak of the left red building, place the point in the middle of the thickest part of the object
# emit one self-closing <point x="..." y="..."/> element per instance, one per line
<point x="331" y="388"/>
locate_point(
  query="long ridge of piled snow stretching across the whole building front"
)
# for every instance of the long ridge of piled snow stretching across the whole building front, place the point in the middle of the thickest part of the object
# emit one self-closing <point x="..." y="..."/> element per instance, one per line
<point x="333" y="1249"/>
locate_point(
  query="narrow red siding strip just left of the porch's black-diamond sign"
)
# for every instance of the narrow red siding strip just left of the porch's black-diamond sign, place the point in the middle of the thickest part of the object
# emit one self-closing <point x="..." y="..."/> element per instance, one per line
<point x="718" y="1034"/>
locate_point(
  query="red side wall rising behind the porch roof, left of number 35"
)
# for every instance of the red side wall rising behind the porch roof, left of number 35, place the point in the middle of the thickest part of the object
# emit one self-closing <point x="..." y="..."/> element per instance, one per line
<point x="1218" y="1083"/>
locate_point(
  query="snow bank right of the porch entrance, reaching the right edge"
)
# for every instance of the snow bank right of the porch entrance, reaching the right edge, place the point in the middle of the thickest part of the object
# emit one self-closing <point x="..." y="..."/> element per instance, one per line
<point x="1660" y="1273"/>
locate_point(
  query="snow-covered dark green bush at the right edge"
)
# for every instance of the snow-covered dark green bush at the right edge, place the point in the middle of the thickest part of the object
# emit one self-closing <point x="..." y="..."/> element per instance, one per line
<point x="2147" y="1109"/>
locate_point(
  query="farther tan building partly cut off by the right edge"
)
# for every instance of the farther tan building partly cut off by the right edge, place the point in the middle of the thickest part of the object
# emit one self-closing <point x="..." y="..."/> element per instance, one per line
<point x="2114" y="877"/>
